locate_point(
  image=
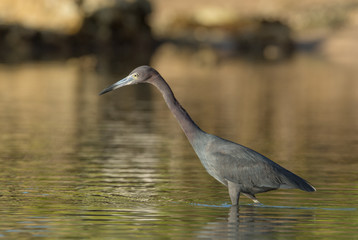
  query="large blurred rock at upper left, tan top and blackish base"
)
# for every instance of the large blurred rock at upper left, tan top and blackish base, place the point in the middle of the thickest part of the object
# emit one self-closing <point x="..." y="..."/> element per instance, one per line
<point x="114" y="28"/>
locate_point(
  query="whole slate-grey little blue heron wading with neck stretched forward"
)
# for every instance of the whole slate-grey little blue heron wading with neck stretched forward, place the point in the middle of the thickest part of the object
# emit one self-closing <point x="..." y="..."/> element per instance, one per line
<point x="239" y="168"/>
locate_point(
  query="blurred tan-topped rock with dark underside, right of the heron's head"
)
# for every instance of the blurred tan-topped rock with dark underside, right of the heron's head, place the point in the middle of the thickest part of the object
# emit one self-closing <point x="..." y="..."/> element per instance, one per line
<point x="227" y="32"/>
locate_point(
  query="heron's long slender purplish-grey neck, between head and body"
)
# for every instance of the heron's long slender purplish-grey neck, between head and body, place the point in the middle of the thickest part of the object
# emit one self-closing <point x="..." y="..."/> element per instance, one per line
<point x="186" y="123"/>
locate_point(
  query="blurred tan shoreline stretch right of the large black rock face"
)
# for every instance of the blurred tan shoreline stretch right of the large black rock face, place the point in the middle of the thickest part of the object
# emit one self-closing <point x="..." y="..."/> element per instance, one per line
<point x="210" y="22"/>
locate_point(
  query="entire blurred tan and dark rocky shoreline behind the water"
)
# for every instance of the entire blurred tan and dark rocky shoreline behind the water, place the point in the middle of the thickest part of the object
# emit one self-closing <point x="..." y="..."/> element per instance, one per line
<point x="53" y="30"/>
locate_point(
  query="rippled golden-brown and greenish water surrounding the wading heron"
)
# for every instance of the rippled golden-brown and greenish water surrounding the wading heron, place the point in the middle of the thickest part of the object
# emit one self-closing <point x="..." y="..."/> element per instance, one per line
<point x="76" y="165"/>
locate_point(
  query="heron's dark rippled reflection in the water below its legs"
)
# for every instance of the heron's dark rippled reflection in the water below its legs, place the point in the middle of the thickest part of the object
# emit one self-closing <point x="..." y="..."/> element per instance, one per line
<point x="253" y="222"/>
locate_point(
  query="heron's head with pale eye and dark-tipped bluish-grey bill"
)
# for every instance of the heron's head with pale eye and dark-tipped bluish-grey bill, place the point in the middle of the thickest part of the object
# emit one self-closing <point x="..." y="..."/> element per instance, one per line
<point x="141" y="74"/>
